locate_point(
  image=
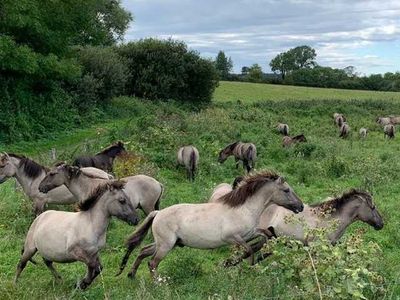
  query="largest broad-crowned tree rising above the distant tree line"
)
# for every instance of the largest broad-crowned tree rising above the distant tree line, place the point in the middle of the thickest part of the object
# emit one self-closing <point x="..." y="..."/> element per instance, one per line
<point x="294" y="59"/>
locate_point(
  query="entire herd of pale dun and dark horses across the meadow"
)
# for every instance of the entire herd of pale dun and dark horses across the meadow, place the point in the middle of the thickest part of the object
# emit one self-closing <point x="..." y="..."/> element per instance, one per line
<point x="246" y="213"/>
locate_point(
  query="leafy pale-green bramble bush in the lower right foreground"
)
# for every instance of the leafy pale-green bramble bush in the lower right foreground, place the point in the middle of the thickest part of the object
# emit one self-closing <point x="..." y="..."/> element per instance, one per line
<point x="325" y="271"/>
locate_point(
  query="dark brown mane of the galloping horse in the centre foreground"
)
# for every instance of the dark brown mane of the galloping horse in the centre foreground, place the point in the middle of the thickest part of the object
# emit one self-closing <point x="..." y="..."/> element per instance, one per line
<point x="247" y="188"/>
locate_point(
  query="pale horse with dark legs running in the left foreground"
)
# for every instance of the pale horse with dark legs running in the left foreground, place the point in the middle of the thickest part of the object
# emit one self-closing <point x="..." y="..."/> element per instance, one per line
<point x="66" y="237"/>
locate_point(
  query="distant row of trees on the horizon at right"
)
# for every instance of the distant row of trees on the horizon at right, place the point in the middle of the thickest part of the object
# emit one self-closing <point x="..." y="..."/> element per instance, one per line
<point x="298" y="66"/>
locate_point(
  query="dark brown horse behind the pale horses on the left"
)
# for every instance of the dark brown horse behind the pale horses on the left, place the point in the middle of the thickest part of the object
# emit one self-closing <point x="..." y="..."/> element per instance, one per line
<point x="103" y="160"/>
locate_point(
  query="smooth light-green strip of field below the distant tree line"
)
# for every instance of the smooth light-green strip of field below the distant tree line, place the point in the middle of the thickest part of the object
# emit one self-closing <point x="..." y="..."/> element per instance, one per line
<point x="252" y="92"/>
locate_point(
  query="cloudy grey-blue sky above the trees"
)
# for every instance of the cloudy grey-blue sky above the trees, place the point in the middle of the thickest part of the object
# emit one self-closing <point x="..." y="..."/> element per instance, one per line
<point x="364" y="34"/>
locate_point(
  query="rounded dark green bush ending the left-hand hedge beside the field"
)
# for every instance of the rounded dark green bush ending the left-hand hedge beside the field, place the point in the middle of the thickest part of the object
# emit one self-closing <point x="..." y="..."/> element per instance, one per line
<point x="166" y="69"/>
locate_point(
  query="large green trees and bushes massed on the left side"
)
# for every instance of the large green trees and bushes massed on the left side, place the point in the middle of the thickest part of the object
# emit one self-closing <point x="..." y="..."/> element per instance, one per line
<point x="61" y="62"/>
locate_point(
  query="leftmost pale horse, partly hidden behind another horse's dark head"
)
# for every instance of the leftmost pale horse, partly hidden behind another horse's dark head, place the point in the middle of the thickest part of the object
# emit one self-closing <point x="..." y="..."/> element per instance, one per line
<point x="29" y="174"/>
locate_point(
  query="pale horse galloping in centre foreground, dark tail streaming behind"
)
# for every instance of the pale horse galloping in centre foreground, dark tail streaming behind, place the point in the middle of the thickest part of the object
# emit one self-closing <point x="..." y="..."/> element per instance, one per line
<point x="231" y="220"/>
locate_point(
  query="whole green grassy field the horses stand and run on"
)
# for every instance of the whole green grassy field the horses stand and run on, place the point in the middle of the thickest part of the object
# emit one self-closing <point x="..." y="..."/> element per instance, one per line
<point x="155" y="132"/>
